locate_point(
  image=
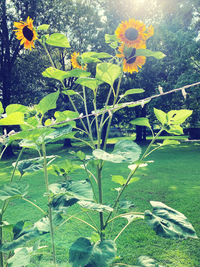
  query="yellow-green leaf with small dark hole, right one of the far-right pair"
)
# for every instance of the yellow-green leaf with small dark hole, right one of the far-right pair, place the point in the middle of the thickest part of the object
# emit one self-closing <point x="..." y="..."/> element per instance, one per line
<point x="178" y="116"/>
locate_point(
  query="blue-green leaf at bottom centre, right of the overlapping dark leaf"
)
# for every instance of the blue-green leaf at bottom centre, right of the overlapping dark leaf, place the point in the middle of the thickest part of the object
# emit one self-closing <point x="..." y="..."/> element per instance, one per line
<point x="103" y="254"/>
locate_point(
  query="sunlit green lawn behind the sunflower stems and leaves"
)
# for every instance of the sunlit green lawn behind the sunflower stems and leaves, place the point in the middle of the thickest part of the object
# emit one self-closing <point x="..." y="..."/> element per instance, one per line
<point x="173" y="179"/>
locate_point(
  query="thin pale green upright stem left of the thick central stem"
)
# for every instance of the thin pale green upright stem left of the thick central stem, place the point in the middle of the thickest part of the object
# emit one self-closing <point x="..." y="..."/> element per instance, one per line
<point x="49" y="206"/>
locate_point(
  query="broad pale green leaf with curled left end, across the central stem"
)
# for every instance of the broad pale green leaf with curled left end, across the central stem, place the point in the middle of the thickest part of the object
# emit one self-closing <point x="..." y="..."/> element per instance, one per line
<point x="124" y="151"/>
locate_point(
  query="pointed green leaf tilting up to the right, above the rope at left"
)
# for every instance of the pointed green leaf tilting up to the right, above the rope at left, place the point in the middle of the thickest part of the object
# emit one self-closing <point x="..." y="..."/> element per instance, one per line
<point x="48" y="102"/>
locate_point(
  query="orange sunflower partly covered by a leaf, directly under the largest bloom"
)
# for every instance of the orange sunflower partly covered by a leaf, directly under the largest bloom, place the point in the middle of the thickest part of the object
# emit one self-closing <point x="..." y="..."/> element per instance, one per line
<point x="131" y="63"/>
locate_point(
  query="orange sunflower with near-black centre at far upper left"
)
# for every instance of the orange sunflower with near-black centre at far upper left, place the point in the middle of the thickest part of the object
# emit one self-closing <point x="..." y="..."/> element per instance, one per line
<point x="26" y="33"/>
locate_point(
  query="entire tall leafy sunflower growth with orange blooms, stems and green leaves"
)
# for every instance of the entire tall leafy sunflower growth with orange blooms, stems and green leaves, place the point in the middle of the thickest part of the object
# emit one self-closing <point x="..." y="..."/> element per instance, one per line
<point x="37" y="130"/>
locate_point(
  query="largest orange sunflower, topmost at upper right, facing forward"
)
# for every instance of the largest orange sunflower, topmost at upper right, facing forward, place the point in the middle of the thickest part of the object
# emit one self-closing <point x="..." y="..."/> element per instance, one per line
<point x="133" y="33"/>
